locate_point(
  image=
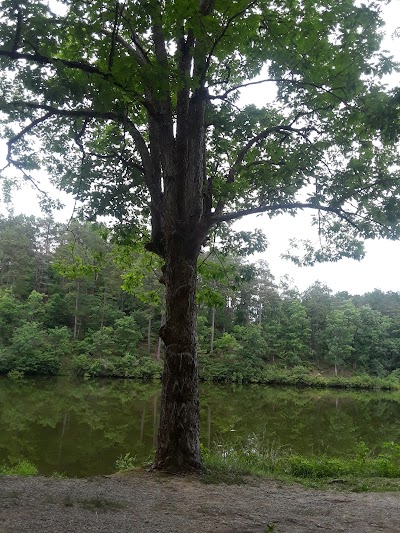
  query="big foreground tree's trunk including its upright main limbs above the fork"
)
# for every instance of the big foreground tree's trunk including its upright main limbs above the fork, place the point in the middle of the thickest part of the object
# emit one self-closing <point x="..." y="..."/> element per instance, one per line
<point x="178" y="231"/>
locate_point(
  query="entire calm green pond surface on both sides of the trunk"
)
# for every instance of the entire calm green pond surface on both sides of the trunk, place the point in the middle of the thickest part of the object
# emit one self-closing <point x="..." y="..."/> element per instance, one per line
<point x="81" y="428"/>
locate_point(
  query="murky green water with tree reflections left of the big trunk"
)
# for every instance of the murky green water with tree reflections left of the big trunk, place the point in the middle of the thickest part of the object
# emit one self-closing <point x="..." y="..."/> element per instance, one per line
<point x="77" y="427"/>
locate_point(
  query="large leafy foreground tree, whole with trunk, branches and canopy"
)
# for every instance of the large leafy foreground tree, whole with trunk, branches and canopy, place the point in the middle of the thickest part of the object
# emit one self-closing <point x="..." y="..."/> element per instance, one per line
<point x="134" y="108"/>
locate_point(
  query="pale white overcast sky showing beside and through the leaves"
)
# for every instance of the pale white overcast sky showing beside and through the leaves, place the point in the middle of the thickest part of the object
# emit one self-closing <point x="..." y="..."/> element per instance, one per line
<point x="380" y="269"/>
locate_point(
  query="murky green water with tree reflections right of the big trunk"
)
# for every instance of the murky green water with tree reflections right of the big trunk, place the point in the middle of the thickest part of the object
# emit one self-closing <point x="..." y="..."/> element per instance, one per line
<point x="307" y="421"/>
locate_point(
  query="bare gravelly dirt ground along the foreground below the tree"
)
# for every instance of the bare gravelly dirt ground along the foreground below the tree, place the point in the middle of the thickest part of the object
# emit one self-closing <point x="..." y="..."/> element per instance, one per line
<point x="144" y="502"/>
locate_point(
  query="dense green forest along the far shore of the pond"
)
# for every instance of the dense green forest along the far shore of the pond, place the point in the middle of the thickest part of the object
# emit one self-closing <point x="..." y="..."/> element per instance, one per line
<point x="72" y="300"/>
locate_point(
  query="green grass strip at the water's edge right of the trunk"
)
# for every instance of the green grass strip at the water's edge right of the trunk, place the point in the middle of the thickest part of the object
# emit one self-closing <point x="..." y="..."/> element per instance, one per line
<point x="362" y="472"/>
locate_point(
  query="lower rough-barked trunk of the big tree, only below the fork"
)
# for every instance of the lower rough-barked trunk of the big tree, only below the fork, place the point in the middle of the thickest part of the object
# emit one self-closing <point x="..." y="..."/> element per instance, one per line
<point x="178" y="437"/>
